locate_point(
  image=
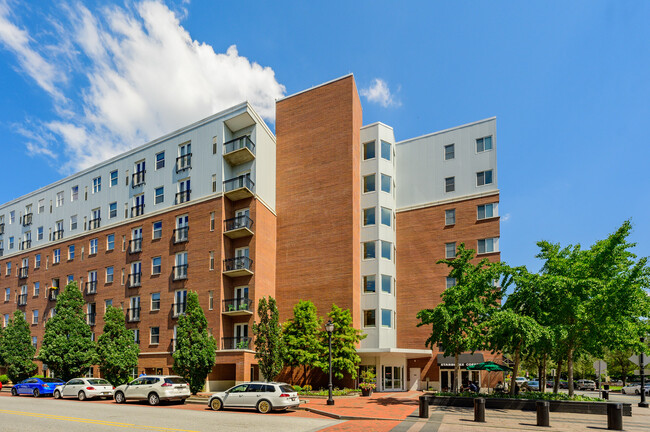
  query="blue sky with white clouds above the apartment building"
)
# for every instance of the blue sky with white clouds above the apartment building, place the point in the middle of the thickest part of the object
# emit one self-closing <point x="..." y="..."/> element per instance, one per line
<point x="567" y="81"/>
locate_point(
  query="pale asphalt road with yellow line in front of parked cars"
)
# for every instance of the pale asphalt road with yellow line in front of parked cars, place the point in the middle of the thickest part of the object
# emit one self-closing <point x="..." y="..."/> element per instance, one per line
<point x="46" y="414"/>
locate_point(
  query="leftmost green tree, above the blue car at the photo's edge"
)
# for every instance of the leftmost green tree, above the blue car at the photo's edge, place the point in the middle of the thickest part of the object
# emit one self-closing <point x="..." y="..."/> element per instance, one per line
<point x="17" y="349"/>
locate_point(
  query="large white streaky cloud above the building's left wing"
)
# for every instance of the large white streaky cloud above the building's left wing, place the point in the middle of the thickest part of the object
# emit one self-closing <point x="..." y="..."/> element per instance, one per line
<point x="144" y="76"/>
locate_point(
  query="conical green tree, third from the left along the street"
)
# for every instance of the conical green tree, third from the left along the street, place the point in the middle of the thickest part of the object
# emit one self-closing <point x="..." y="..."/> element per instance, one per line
<point x="116" y="348"/>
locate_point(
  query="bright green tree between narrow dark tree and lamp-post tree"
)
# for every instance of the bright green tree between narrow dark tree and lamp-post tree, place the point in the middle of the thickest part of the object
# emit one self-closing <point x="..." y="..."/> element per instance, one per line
<point x="302" y="338"/>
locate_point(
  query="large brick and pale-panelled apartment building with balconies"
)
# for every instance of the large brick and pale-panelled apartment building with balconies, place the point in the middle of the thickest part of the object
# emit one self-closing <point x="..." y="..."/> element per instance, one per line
<point x="326" y="210"/>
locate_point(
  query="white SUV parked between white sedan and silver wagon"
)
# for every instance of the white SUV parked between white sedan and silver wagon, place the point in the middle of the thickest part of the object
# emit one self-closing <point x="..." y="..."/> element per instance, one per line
<point x="154" y="388"/>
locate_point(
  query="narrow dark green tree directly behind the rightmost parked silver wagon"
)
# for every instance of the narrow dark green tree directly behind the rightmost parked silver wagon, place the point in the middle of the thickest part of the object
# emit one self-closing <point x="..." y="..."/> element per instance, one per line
<point x="269" y="344"/>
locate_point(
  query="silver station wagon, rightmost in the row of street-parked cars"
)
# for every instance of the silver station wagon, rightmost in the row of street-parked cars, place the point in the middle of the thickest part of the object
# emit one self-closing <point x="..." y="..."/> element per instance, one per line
<point x="263" y="396"/>
